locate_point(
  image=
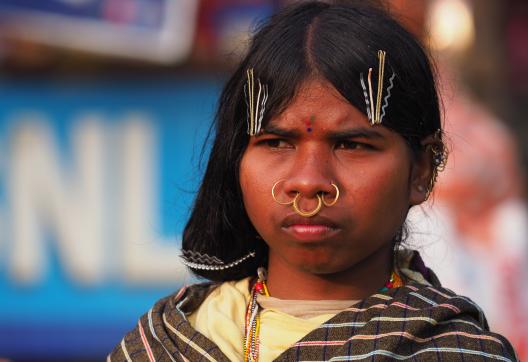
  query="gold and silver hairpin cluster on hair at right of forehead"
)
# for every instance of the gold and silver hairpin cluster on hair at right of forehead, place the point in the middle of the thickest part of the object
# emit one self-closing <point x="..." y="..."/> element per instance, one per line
<point x="376" y="111"/>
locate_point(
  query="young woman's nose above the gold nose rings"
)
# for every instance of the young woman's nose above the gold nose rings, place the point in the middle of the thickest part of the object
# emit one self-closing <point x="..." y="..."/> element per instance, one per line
<point x="310" y="175"/>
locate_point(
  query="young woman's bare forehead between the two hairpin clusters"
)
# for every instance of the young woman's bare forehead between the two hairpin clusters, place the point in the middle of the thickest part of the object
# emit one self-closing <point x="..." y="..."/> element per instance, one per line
<point x="319" y="102"/>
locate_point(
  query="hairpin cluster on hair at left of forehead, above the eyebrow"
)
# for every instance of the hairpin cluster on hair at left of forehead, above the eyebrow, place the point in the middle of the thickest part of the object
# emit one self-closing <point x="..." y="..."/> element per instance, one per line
<point x="256" y="104"/>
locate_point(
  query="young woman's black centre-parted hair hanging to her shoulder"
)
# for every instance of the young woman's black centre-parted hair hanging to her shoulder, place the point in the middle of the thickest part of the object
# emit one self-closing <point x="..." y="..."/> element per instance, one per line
<point x="331" y="40"/>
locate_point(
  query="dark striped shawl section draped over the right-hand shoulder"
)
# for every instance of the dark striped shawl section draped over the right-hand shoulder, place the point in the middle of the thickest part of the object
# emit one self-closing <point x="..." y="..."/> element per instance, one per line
<point x="414" y="322"/>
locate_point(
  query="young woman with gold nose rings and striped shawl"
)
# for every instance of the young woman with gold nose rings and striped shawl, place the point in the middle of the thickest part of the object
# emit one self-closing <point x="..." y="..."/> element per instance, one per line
<point x="326" y="134"/>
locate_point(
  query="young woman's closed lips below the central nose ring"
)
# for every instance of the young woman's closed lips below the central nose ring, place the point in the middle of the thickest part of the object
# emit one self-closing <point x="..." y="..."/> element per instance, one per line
<point x="316" y="228"/>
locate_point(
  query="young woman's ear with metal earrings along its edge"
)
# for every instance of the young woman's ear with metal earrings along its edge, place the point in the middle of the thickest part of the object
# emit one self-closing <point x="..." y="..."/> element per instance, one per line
<point x="422" y="172"/>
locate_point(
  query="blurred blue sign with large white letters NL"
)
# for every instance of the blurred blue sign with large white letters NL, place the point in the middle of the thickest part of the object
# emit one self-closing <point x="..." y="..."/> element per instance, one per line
<point x="96" y="183"/>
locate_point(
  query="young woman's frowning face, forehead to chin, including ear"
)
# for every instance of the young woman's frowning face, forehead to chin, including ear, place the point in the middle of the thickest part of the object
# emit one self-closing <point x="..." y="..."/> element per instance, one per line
<point x="318" y="140"/>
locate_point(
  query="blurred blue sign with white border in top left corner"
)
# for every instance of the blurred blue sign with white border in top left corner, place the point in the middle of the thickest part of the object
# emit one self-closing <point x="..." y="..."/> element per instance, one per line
<point x="156" y="30"/>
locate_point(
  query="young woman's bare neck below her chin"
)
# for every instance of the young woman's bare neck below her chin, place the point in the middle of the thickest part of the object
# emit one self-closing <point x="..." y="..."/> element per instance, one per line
<point x="286" y="281"/>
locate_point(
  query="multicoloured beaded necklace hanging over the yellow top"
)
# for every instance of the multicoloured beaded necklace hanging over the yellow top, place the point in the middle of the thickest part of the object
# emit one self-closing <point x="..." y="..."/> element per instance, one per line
<point x="252" y="328"/>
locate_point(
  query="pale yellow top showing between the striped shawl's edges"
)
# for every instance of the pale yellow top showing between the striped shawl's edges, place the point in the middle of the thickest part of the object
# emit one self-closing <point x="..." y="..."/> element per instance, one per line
<point x="221" y="318"/>
